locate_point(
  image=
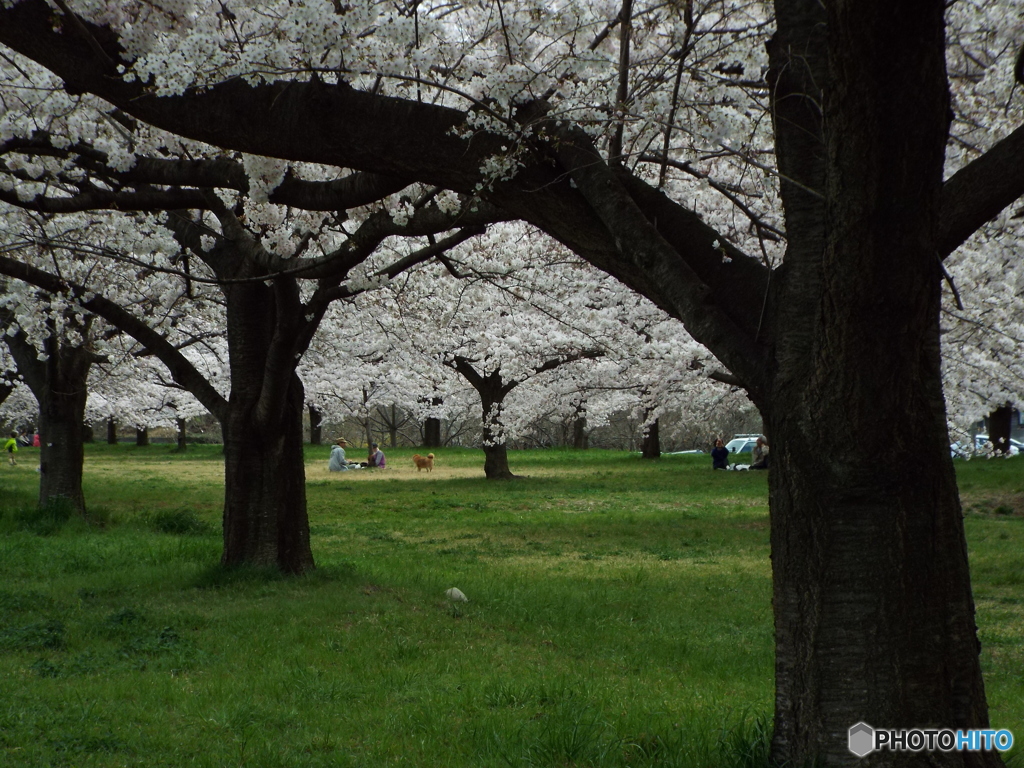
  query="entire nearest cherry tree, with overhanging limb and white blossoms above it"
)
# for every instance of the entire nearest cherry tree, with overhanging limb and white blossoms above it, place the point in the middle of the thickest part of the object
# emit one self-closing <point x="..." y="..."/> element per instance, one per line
<point x="664" y="144"/>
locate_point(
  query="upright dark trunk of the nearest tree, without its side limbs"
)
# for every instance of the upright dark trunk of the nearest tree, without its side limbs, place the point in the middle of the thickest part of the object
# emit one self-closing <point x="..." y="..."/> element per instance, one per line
<point x="874" y="612"/>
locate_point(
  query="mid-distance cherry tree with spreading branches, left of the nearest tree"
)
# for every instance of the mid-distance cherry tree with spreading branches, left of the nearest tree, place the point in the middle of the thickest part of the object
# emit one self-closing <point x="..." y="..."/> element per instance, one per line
<point x="270" y="264"/>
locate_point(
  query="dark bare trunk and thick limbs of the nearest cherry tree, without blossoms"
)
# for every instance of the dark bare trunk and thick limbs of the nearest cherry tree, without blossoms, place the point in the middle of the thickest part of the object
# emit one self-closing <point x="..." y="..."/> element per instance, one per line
<point x="874" y="611"/>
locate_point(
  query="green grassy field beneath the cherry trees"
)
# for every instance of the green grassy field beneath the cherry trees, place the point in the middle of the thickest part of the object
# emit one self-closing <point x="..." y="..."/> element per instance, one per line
<point x="619" y="616"/>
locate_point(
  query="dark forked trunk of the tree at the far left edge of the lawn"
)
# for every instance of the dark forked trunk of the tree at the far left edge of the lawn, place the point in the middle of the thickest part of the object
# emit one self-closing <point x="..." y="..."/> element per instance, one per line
<point x="59" y="385"/>
